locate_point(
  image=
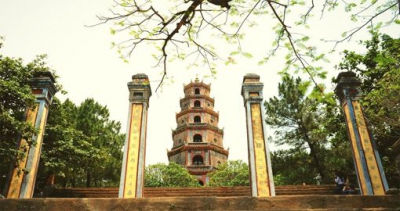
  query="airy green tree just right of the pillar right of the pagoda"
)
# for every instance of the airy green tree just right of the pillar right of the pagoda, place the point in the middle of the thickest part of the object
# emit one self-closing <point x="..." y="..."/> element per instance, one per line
<point x="297" y="120"/>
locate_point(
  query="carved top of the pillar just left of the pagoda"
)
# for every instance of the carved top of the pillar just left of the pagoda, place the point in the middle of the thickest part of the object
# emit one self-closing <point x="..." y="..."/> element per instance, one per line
<point x="139" y="89"/>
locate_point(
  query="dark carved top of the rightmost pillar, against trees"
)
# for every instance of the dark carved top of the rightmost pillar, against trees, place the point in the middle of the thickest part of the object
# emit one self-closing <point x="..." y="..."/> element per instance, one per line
<point x="347" y="86"/>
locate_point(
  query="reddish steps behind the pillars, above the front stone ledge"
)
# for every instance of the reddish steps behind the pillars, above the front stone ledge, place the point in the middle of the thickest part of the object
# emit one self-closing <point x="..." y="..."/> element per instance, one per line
<point x="193" y="192"/>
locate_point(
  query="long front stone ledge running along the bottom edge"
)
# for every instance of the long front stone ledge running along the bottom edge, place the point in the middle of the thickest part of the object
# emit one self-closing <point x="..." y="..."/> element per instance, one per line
<point x="290" y="203"/>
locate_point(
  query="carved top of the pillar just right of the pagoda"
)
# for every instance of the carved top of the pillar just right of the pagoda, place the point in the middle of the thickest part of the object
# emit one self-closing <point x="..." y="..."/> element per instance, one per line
<point x="252" y="88"/>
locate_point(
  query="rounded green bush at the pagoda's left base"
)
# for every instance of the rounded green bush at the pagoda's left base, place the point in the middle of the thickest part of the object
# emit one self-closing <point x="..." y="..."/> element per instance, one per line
<point x="171" y="175"/>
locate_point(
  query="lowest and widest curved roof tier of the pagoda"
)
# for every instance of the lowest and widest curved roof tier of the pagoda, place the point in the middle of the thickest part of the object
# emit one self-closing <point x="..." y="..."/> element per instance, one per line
<point x="197" y="146"/>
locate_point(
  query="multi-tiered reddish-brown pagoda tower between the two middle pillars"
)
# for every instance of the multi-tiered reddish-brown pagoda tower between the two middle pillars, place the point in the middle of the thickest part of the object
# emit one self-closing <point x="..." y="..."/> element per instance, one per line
<point x="197" y="140"/>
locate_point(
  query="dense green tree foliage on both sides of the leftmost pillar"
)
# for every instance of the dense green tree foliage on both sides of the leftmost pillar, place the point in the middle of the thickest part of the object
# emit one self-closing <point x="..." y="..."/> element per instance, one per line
<point x="78" y="140"/>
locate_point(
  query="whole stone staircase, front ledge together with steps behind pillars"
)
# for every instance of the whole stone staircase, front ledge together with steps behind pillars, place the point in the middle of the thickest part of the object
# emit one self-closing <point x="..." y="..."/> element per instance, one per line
<point x="291" y="198"/>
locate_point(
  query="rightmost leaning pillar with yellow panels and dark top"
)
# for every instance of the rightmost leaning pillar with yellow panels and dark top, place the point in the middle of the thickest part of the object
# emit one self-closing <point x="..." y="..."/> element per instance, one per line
<point x="370" y="174"/>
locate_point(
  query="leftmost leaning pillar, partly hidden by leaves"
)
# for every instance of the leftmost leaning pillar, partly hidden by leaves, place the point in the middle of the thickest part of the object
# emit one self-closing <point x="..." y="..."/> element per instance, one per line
<point x="22" y="183"/>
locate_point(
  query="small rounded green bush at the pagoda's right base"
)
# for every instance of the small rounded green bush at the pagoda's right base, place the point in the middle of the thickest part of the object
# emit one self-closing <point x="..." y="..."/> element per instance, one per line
<point x="231" y="173"/>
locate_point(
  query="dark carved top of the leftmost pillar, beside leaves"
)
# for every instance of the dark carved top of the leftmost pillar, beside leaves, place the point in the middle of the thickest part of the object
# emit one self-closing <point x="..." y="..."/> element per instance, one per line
<point x="43" y="86"/>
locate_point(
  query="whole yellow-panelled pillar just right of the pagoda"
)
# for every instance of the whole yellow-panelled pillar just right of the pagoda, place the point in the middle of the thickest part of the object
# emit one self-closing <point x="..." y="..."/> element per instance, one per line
<point x="261" y="179"/>
